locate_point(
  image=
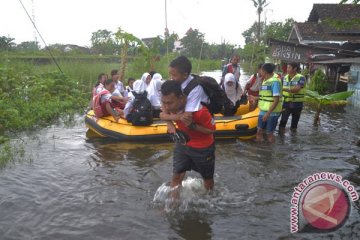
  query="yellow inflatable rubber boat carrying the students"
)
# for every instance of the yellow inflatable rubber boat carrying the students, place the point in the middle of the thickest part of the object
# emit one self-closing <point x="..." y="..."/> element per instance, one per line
<point x="243" y="126"/>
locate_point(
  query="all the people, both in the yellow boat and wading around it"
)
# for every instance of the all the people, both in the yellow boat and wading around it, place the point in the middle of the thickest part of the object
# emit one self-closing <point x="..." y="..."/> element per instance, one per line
<point x="265" y="89"/>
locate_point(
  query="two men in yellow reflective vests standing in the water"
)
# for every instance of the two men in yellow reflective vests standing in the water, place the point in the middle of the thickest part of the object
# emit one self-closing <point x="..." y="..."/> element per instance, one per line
<point x="279" y="97"/>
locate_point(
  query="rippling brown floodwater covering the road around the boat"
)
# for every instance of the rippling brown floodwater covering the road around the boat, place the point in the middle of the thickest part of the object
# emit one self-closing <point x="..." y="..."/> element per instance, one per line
<point x="72" y="186"/>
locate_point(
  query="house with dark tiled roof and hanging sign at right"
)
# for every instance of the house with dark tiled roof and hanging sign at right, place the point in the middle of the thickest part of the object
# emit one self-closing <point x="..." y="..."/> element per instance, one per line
<point x="329" y="39"/>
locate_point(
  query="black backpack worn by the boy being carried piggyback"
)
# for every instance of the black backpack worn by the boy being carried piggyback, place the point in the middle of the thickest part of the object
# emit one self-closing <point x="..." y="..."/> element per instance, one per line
<point x="211" y="87"/>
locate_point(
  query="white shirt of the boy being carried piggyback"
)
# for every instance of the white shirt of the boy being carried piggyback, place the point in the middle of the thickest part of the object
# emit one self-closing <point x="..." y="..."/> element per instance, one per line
<point x="195" y="97"/>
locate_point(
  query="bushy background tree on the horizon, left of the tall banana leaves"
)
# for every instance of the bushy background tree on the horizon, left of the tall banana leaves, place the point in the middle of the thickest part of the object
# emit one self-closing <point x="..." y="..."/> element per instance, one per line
<point x="102" y="42"/>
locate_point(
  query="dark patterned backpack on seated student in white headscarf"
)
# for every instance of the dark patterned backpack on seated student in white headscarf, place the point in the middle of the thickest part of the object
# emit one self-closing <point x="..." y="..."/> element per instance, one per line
<point x="142" y="111"/>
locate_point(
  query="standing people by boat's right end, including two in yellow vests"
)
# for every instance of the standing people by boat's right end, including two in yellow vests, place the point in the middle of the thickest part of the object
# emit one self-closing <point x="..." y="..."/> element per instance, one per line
<point x="275" y="95"/>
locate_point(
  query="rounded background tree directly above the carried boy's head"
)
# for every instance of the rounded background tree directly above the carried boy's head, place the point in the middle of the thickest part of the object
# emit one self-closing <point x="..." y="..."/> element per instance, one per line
<point x="193" y="42"/>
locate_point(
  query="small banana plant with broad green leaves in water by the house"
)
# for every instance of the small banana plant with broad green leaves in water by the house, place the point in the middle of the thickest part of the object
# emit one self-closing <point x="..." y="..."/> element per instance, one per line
<point x="334" y="99"/>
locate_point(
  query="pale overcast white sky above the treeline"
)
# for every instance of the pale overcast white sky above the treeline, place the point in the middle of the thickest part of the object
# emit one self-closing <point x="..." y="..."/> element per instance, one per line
<point x="74" y="21"/>
